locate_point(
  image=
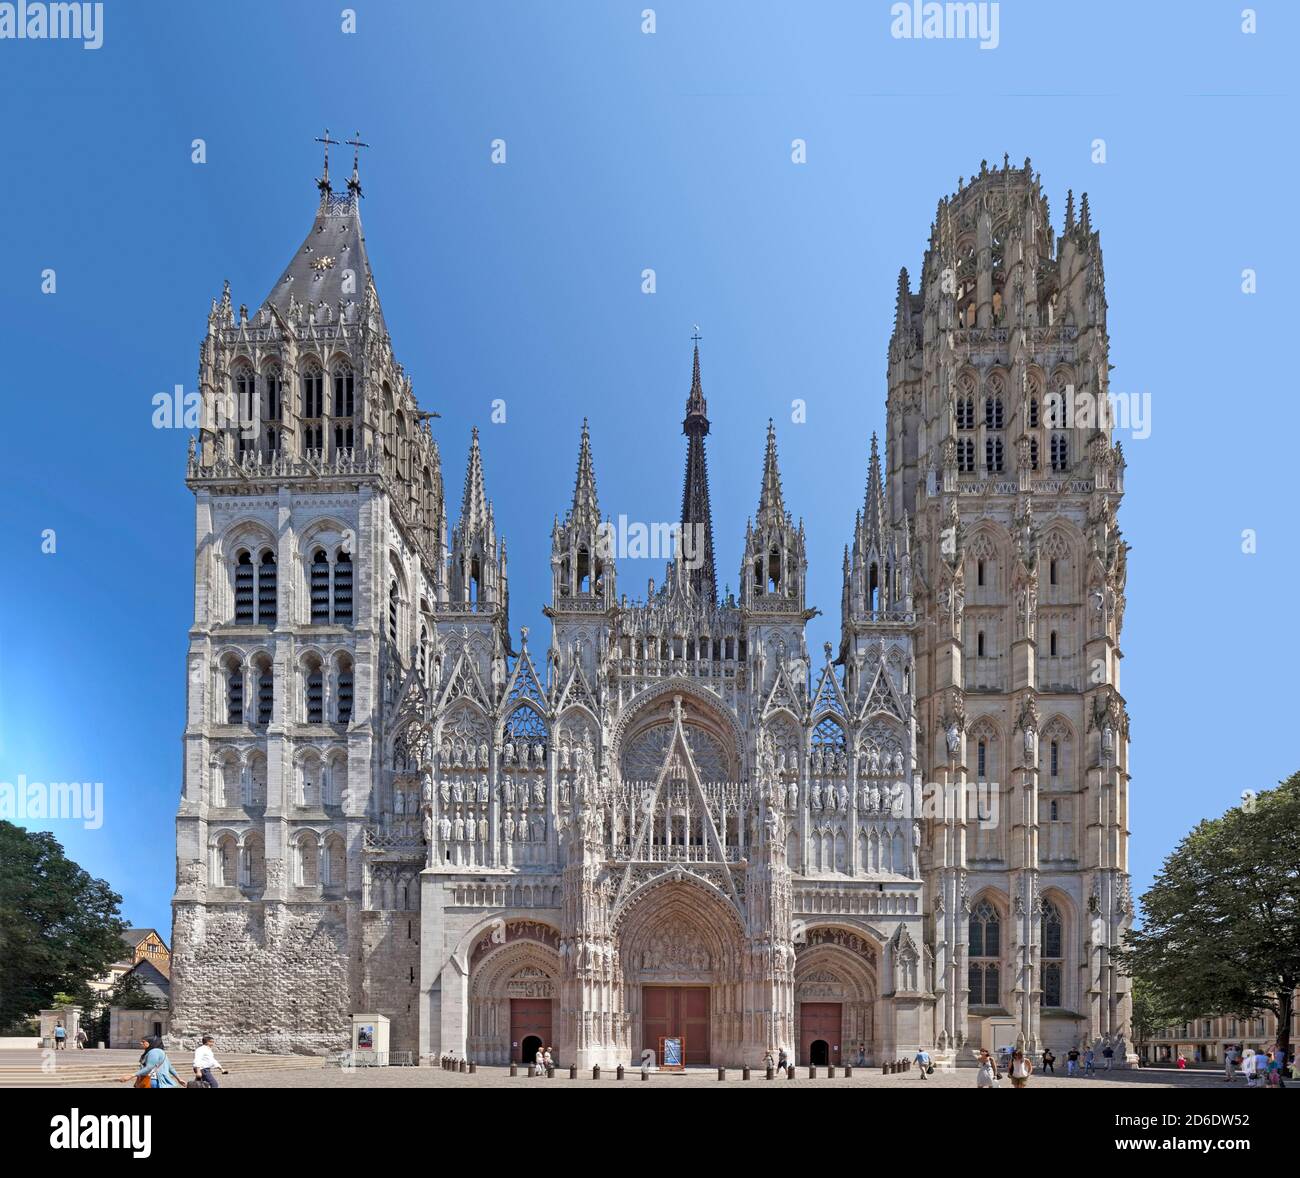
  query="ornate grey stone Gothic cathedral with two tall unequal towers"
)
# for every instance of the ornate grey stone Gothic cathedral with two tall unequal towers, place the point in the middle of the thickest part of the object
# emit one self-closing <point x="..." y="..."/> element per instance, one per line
<point x="674" y="820"/>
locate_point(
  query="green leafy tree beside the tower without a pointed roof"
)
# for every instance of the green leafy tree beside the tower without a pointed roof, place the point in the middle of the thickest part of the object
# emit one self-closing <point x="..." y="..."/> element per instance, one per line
<point x="1221" y="923"/>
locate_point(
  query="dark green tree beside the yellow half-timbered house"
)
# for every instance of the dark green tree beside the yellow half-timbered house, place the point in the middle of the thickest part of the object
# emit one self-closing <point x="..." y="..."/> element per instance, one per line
<point x="59" y="928"/>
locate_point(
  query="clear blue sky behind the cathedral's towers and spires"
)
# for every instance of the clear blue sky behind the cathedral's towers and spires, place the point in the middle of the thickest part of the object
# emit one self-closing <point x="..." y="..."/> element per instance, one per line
<point x="626" y="151"/>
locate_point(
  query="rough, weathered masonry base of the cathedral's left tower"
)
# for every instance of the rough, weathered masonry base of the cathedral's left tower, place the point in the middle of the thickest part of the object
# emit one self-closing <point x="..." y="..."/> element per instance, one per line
<point x="263" y="977"/>
